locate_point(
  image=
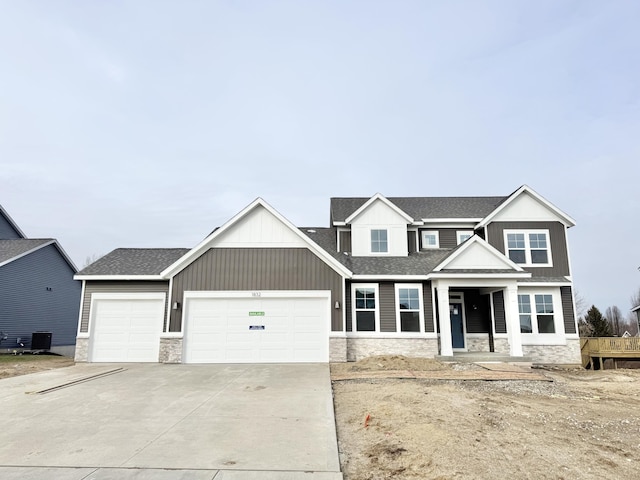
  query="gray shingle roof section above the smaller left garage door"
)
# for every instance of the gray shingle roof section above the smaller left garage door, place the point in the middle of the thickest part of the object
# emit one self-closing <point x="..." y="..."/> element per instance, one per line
<point x="134" y="261"/>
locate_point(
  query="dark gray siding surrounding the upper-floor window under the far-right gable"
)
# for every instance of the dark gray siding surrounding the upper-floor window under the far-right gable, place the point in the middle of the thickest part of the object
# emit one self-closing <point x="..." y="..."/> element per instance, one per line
<point x="557" y="241"/>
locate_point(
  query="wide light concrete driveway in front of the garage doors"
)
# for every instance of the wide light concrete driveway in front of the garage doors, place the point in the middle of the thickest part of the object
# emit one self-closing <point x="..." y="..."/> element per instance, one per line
<point x="169" y="422"/>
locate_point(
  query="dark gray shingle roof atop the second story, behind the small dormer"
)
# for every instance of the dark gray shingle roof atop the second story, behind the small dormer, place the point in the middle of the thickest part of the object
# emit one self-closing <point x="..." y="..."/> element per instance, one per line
<point x="423" y="207"/>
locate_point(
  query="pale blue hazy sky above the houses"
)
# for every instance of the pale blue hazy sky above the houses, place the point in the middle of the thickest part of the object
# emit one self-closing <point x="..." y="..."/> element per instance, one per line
<point x="147" y="123"/>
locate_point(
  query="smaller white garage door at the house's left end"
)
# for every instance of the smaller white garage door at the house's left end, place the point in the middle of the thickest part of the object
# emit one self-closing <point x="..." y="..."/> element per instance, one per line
<point x="126" y="329"/>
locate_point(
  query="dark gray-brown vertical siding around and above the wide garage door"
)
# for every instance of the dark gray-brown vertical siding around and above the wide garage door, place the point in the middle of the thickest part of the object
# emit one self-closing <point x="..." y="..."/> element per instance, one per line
<point x="247" y="269"/>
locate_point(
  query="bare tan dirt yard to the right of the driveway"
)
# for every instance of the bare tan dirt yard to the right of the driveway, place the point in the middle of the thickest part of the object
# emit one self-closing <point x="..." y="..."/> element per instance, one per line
<point x="568" y="424"/>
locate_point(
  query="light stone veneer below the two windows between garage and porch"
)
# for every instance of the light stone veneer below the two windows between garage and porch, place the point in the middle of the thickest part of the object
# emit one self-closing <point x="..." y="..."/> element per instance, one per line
<point x="358" y="348"/>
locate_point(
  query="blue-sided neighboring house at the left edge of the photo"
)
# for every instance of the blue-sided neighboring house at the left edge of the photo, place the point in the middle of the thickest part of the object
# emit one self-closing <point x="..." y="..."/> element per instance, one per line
<point x="37" y="291"/>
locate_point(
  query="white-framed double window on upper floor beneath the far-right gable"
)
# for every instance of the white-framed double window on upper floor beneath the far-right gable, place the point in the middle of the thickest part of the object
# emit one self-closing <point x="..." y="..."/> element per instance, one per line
<point x="528" y="247"/>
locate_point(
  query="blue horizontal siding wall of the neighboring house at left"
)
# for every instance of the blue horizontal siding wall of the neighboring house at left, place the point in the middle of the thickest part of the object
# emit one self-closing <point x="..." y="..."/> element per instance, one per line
<point x="38" y="293"/>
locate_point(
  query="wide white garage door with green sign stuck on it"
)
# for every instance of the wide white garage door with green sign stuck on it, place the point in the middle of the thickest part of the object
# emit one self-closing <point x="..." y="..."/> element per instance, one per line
<point x="257" y="330"/>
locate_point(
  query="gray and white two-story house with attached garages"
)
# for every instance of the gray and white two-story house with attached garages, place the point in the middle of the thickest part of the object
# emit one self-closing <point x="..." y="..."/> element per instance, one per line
<point x="418" y="276"/>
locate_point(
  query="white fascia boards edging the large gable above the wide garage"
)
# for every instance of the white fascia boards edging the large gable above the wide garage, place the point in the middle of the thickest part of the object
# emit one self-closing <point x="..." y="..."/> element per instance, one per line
<point x="195" y="252"/>
